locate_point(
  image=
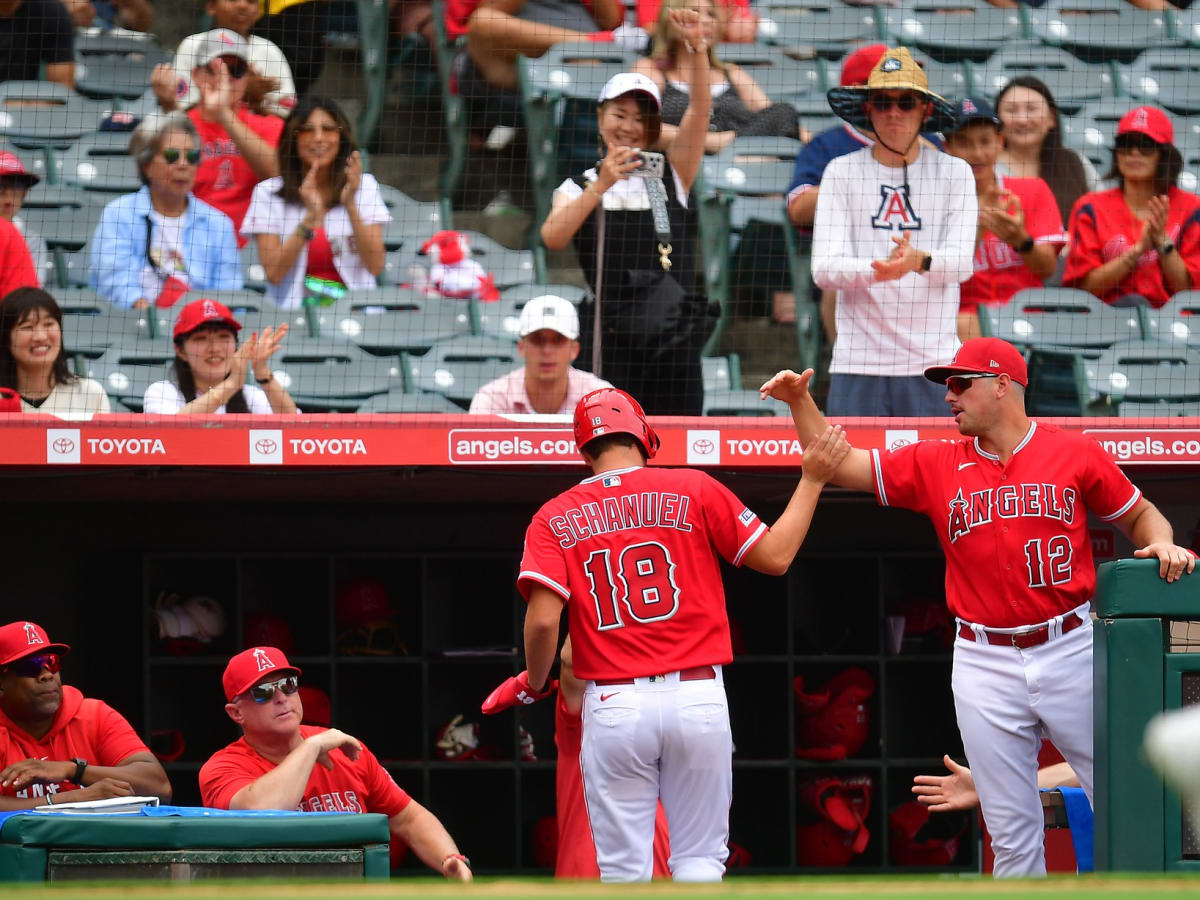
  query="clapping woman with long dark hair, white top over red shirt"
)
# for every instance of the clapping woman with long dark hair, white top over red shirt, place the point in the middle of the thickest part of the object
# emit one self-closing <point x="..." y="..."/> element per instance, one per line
<point x="320" y="225"/>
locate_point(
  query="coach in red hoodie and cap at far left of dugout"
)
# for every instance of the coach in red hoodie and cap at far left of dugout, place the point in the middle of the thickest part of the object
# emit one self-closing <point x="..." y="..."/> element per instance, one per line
<point x="56" y="745"/>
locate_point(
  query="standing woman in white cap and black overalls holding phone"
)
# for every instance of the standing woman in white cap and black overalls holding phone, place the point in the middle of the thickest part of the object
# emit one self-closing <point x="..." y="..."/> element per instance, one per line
<point x="641" y="230"/>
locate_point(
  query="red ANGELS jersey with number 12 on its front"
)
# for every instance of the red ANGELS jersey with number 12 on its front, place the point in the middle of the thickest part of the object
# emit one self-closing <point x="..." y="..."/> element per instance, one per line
<point x="1015" y="536"/>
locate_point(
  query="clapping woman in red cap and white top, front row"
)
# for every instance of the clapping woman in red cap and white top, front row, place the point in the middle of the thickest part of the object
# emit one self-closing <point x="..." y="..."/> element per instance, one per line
<point x="211" y="368"/>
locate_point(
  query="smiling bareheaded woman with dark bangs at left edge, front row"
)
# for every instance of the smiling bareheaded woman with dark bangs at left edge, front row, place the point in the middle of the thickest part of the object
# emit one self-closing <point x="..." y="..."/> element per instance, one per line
<point x="34" y="363"/>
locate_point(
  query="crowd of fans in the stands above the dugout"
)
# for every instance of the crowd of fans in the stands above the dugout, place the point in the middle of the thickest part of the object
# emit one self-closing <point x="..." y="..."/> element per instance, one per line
<point x="922" y="209"/>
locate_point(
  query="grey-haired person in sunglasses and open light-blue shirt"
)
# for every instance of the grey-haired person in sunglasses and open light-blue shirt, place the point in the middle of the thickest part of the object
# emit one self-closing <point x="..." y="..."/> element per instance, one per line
<point x="154" y="245"/>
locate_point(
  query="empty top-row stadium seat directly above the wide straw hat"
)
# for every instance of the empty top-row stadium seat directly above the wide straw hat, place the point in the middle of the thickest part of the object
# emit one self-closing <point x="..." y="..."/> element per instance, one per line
<point x="955" y="31"/>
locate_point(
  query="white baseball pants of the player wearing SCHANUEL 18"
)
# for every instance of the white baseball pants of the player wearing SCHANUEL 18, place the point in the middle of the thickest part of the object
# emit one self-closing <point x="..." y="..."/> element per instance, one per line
<point x="658" y="737"/>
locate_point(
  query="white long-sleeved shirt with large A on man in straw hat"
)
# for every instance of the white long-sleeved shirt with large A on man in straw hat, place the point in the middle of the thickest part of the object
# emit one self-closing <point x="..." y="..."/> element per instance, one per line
<point x="902" y="327"/>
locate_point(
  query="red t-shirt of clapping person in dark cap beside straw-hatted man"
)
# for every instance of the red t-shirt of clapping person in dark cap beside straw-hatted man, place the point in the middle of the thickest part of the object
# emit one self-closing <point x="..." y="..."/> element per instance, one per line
<point x="999" y="269"/>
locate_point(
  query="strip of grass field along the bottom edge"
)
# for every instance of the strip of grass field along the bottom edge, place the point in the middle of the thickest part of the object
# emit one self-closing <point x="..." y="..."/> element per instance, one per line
<point x="743" y="889"/>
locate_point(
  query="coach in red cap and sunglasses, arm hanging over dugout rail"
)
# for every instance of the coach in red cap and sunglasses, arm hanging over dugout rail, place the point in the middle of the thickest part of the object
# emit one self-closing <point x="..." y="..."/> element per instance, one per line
<point x="280" y="764"/>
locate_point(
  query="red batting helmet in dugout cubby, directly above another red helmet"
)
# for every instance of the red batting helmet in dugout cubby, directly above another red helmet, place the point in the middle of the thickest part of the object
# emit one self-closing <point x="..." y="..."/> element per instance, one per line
<point x="832" y="724"/>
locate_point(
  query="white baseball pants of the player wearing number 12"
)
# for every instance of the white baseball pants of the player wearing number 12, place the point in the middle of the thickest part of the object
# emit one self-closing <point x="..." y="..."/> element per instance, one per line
<point x="1009" y="700"/>
